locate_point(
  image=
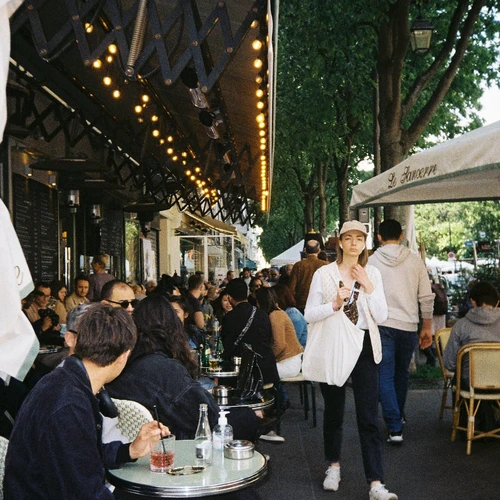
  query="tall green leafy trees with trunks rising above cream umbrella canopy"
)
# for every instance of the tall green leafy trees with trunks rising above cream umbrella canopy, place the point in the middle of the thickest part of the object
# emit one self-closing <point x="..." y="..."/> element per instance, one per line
<point x="327" y="55"/>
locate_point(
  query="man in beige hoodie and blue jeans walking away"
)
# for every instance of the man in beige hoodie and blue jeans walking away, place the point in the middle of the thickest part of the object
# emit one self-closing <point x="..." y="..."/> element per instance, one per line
<point x="408" y="291"/>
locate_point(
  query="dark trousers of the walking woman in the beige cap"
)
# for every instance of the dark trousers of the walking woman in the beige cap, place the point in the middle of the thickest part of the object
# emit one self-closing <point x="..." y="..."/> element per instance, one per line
<point x="364" y="379"/>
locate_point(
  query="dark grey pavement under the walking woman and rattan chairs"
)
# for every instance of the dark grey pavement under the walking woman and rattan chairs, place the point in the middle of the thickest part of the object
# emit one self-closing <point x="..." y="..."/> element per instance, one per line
<point x="427" y="466"/>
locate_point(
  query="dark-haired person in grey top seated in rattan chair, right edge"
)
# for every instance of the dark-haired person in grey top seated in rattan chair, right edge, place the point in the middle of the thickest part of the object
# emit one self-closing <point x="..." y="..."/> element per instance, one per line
<point x="480" y="324"/>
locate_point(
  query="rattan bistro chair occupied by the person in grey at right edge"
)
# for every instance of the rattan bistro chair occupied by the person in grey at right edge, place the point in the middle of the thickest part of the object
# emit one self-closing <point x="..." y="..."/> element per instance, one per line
<point x="484" y="377"/>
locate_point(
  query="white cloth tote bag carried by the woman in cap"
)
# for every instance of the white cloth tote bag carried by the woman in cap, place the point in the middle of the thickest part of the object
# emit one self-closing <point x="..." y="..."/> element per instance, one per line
<point x="332" y="350"/>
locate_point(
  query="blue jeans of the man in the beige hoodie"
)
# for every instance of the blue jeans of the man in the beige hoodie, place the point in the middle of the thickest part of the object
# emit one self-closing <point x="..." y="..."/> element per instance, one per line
<point x="397" y="349"/>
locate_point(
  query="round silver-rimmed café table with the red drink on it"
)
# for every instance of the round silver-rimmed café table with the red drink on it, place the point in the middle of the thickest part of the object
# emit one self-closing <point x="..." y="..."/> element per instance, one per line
<point x="223" y="476"/>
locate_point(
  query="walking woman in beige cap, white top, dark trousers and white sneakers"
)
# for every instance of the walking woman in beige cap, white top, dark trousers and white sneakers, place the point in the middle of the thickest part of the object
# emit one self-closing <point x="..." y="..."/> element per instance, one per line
<point x="351" y="283"/>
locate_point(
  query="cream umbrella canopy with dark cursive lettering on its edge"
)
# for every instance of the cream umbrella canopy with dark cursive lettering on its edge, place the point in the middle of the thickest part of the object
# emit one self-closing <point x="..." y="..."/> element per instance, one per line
<point x="466" y="168"/>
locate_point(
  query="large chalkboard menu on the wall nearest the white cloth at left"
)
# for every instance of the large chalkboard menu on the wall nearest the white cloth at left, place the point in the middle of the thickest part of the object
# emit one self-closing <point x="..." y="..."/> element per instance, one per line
<point x="36" y="224"/>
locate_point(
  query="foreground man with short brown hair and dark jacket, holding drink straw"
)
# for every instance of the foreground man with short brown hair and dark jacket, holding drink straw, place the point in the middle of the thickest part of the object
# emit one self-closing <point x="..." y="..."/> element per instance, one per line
<point x="55" y="449"/>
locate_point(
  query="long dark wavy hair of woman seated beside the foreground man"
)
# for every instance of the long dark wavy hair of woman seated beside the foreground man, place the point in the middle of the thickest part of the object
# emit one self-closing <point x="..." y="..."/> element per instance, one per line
<point x="161" y="330"/>
